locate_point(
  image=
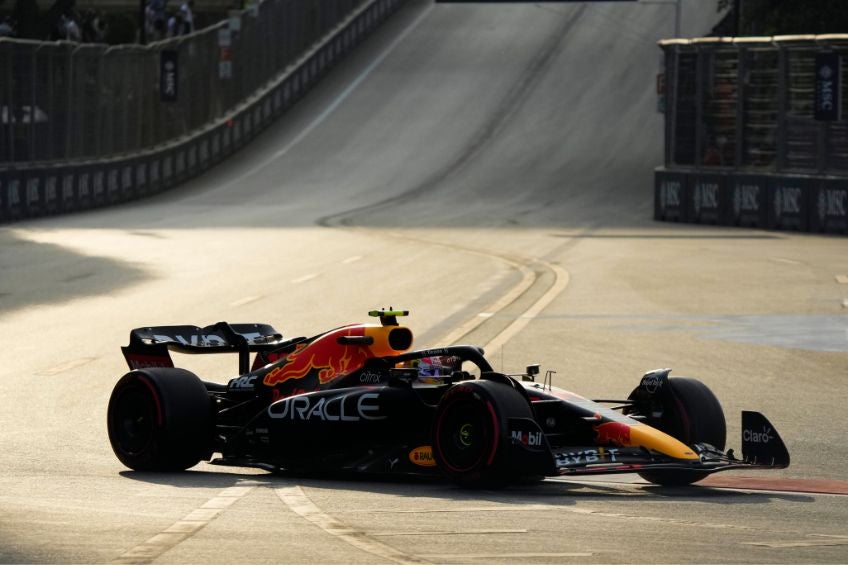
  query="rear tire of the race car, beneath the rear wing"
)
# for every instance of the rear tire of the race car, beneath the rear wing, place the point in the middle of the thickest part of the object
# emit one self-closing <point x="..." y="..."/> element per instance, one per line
<point x="160" y="420"/>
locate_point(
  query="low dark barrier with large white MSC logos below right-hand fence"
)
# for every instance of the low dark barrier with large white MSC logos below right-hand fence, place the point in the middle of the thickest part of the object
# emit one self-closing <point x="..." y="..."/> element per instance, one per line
<point x="772" y="201"/>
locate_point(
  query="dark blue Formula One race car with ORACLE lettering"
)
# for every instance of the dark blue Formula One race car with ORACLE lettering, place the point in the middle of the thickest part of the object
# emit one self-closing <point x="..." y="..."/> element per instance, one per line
<point x="355" y="399"/>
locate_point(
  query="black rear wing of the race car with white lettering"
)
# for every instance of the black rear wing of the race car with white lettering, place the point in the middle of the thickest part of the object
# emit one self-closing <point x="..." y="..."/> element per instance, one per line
<point x="150" y="347"/>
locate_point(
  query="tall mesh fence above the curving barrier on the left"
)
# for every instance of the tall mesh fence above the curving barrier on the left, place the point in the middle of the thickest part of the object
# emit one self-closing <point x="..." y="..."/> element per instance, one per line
<point x="68" y="101"/>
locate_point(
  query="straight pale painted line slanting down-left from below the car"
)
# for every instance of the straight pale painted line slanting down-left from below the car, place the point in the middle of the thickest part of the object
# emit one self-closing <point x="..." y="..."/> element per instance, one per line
<point x="183" y="529"/>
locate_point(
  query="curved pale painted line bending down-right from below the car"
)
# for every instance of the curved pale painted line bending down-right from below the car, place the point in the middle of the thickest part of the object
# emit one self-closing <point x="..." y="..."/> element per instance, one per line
<point x="300" y="504"/>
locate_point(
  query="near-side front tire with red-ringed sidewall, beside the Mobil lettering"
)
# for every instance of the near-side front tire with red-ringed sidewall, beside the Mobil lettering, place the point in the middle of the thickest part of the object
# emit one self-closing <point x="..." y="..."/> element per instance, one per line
<point x="470" y="433"/>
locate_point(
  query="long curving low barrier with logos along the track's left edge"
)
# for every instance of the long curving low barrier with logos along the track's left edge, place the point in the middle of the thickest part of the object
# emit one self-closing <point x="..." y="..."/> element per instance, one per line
<point x="33" y="190"/>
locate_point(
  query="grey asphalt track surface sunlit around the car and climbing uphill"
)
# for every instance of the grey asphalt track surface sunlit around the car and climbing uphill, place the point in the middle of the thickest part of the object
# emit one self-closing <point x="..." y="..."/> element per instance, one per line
<point x="489" y="168"/>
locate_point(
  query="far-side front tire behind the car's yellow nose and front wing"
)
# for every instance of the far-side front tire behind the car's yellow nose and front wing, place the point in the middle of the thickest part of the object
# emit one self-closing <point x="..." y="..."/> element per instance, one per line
<point x="692" y="414"/>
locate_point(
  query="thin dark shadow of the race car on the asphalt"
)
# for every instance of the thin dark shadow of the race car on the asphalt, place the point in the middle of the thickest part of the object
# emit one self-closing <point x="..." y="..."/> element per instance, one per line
<point x="551" y="492"/>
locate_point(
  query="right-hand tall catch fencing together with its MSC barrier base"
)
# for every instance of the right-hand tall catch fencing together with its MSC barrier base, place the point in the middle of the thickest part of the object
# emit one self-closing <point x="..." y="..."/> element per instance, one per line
<point x="755" y="132"/>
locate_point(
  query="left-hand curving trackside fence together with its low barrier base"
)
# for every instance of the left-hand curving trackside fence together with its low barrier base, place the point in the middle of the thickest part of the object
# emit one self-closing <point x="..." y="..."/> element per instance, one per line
<point x="126" y="142"/>
